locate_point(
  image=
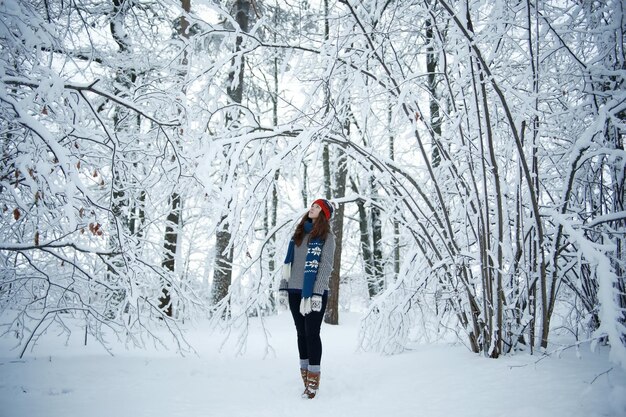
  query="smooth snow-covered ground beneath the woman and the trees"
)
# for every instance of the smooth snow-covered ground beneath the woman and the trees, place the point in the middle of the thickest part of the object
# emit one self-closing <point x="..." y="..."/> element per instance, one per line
<point x="430" y="381"/>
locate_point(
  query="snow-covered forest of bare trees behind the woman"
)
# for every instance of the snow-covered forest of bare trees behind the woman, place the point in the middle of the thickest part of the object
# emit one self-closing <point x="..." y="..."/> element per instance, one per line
<point x="157" y="154"/>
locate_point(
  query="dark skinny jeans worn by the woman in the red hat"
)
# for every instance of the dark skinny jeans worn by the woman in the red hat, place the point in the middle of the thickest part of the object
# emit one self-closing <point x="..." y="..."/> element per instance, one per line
<point x="308" y="329"/>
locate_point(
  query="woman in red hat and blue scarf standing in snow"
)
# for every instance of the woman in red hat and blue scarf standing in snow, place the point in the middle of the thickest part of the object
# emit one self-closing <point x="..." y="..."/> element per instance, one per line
<point x="304" y="287"/>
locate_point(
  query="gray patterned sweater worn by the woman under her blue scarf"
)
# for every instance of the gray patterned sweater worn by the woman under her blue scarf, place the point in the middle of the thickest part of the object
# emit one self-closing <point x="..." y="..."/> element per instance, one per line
<point x="296" y="279"/>
